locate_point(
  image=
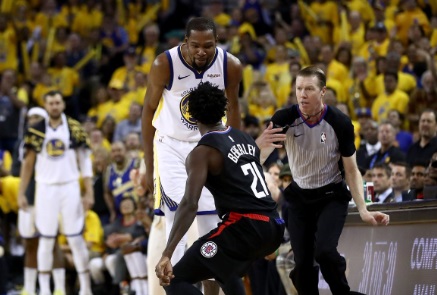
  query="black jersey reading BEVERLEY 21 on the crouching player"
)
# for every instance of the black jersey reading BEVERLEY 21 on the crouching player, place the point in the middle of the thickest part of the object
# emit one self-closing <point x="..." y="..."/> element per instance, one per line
<point x="241" y="186"/>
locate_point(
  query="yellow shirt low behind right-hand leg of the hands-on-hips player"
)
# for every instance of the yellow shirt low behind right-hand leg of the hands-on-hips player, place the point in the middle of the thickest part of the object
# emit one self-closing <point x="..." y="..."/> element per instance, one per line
<point x="93" y="233"/>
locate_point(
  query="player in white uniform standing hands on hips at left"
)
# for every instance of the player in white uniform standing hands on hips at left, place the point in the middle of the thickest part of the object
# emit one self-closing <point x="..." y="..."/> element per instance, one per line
<point x="58" y="149"/>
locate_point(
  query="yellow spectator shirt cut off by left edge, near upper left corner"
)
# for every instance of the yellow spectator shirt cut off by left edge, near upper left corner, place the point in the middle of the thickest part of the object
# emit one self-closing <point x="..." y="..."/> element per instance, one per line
<point x="8" y="50"/>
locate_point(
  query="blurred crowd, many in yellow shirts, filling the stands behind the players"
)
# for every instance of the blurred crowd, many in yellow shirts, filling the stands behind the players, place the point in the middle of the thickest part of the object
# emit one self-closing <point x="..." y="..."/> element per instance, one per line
<point x="379" y="57"/>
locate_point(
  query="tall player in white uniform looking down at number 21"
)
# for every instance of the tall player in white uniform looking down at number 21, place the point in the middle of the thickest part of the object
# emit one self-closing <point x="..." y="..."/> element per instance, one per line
<point x="169" y="132"/>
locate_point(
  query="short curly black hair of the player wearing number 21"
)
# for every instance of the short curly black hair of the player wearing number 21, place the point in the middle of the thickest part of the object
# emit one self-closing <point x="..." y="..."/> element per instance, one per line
<point x="207" y="103"/>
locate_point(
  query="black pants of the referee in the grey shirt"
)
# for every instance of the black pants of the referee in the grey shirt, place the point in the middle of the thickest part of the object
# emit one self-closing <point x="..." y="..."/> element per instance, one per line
<point x="315" y="222"/>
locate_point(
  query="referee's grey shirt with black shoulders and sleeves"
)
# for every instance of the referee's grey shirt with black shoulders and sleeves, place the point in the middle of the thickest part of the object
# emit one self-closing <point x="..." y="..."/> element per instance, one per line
<point x="314" y="151"/>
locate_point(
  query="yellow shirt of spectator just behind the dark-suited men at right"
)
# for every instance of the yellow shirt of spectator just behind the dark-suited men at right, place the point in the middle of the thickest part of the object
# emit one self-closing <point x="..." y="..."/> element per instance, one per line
<point x="398" y="100"/>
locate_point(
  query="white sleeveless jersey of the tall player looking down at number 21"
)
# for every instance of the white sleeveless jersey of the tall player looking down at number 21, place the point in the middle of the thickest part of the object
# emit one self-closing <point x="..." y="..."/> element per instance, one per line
<point x="172" y="117"/>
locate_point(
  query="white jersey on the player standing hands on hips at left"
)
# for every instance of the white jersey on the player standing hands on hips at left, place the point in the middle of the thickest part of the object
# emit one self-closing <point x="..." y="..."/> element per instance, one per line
<point x="57" y="162"/>
